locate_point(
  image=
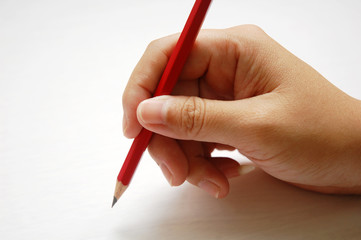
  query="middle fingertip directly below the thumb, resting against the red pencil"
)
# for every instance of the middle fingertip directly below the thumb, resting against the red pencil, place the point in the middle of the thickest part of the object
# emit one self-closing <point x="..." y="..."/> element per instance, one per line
<point x="170" y="158"/>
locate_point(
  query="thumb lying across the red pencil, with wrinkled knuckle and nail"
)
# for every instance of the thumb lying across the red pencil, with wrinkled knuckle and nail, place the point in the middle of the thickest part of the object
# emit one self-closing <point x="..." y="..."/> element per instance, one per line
<point x="194" y="118"/>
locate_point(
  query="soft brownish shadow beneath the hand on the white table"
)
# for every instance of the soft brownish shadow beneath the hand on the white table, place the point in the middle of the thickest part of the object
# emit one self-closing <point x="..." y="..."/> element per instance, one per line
<point x="258" y="207"/>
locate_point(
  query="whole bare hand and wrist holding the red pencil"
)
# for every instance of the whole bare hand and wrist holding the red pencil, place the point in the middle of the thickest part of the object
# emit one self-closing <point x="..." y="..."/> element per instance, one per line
<point x="241" y="90"/>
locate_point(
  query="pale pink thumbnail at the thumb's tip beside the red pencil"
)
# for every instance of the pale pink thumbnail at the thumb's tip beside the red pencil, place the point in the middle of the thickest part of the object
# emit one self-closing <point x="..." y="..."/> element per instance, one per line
<point x="150" y="110"/>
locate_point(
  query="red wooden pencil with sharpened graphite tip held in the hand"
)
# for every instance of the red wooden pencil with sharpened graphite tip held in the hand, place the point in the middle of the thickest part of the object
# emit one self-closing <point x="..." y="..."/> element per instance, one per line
<point x="165" y="86"/>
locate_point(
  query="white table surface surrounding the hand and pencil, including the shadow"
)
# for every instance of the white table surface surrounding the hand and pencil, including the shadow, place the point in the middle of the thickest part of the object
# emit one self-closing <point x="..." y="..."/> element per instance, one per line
<point x="63" y="67"/>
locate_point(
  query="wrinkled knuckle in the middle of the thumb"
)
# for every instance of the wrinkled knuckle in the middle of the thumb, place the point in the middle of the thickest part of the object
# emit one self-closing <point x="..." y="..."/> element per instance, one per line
<point x="192" y="115"/>
